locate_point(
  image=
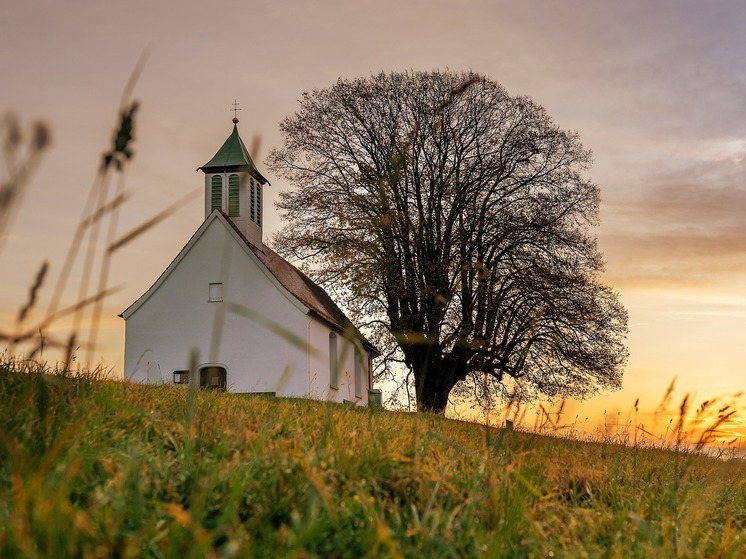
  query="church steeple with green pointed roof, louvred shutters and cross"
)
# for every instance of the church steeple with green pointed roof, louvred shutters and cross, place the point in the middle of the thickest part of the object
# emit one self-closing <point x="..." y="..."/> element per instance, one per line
<point x="234" y="185"/>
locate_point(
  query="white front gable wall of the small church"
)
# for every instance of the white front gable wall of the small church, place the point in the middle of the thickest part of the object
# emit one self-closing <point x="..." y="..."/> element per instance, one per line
<point x="177" y="318"/>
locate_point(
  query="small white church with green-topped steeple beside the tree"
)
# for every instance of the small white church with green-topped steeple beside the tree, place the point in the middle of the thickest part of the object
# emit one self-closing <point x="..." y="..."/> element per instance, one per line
<point x="229" y="313"/>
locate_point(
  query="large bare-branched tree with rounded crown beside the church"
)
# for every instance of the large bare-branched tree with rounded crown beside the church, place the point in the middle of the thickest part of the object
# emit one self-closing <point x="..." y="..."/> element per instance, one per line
<point x="457" y="218"/>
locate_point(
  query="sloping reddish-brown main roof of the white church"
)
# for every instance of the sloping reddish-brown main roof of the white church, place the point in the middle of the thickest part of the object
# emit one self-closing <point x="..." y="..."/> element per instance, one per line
<point x="302" y="287"/>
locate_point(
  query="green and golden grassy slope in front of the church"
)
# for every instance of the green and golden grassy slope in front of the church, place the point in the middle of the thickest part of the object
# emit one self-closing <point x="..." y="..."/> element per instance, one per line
<point x="106" y="469"/>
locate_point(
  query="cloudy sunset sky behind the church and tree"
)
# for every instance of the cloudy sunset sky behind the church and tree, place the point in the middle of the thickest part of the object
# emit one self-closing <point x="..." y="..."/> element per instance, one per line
<point x="656" y="88"/>
